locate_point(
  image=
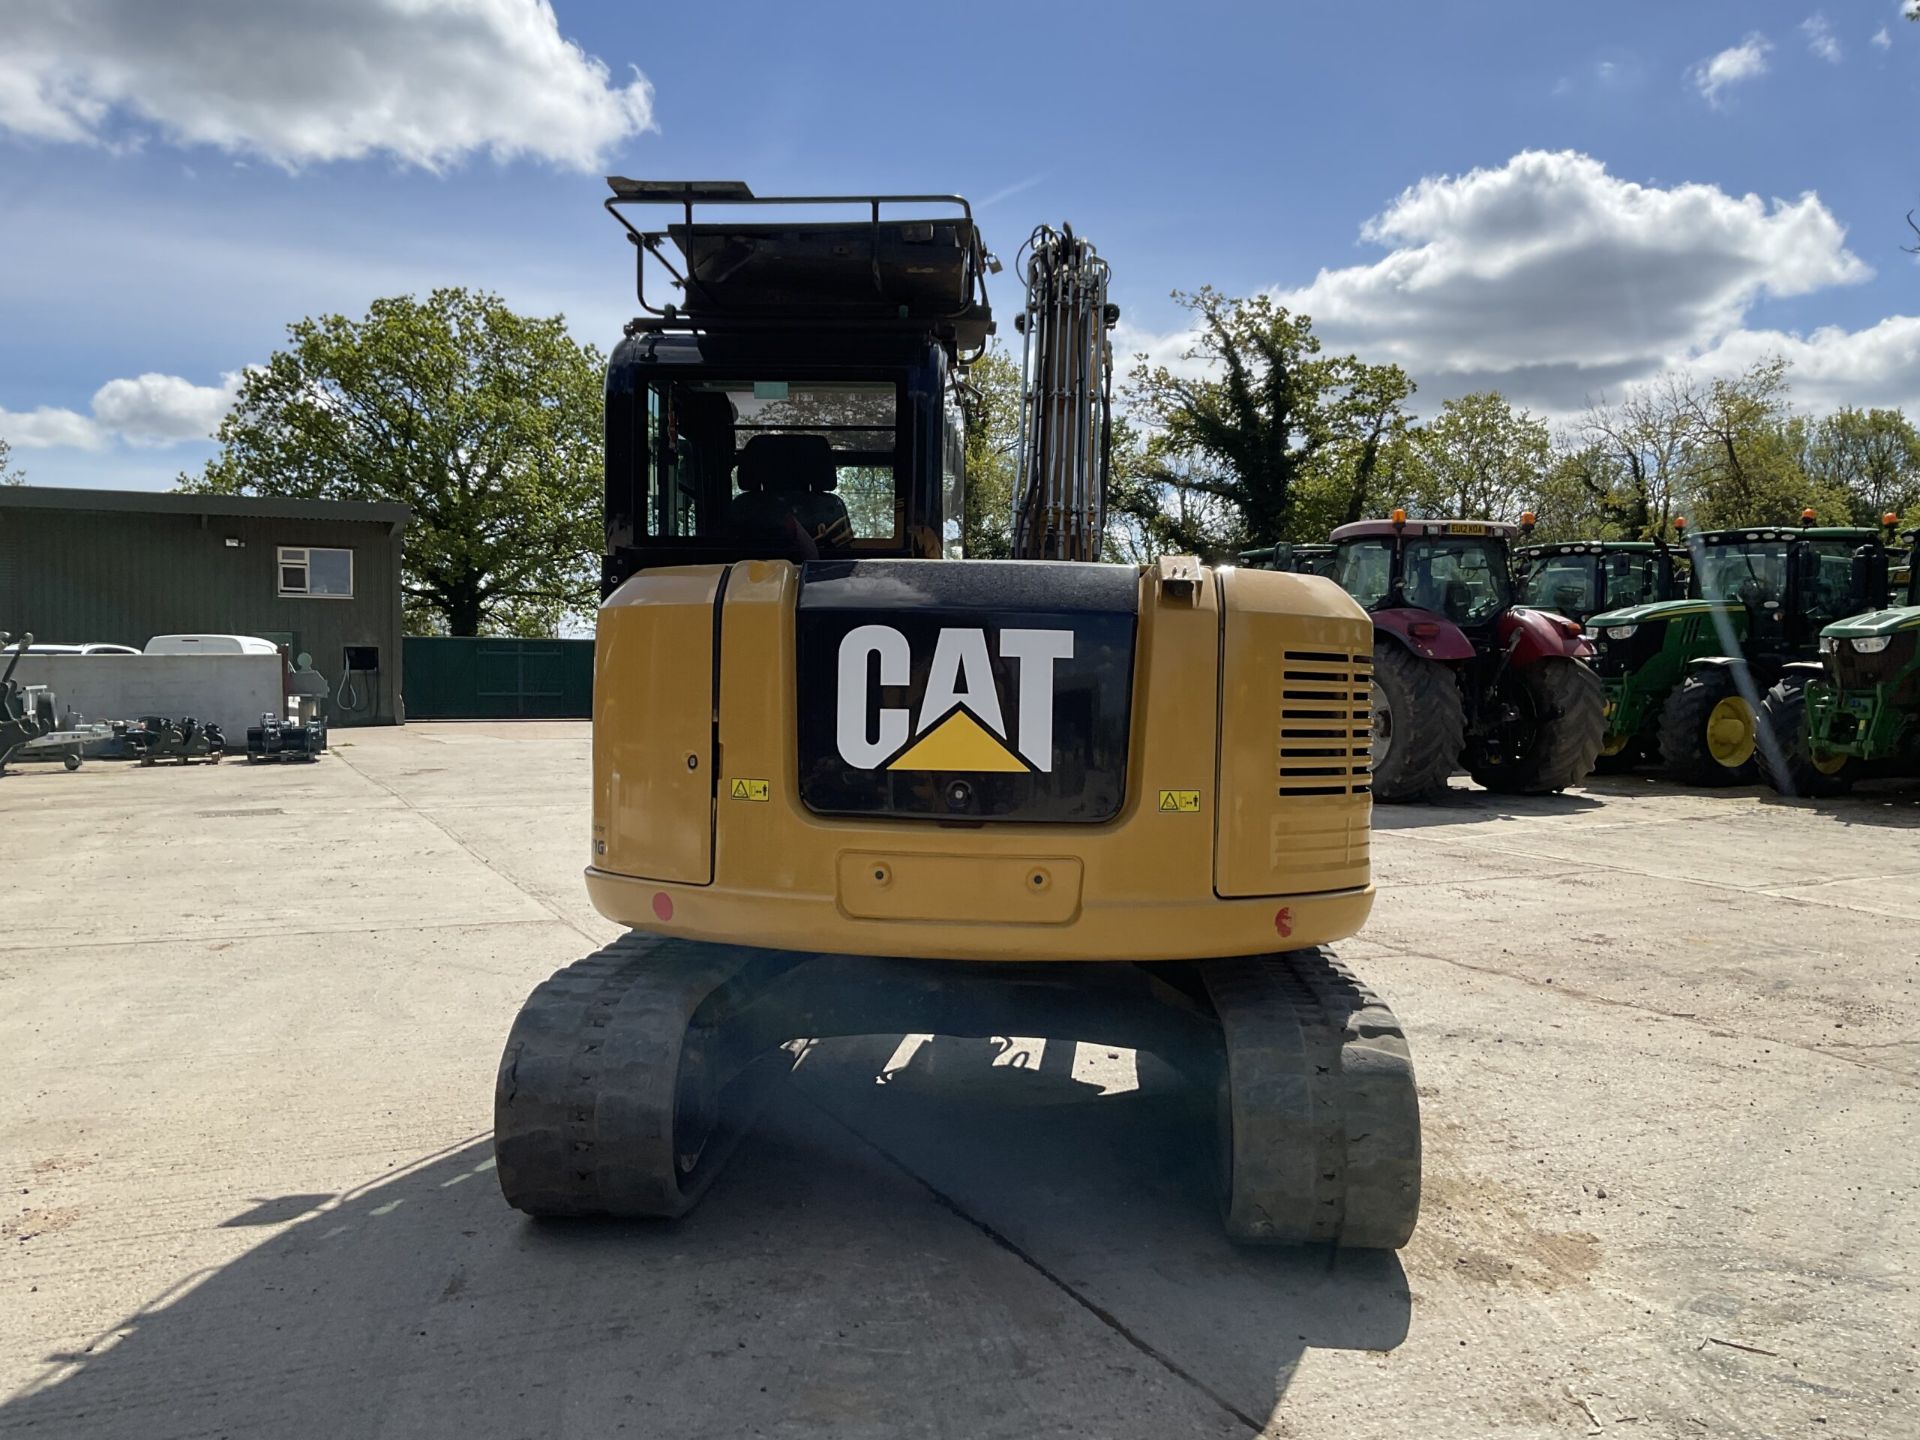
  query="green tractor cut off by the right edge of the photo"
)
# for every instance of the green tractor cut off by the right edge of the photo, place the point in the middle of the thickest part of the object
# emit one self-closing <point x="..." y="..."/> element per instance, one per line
<point x="1858" y="708"/>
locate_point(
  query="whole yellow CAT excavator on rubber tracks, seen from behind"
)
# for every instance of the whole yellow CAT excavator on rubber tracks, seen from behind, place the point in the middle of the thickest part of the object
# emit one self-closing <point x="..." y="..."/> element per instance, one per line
<point x="848" y="782"/>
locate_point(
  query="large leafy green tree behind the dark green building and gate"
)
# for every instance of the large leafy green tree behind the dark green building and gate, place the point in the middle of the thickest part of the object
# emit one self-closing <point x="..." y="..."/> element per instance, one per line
<point x="483" y="421"/>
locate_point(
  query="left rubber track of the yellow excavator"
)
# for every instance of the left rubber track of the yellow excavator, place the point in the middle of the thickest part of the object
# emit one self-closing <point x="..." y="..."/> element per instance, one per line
<point x="587" y="1097"/>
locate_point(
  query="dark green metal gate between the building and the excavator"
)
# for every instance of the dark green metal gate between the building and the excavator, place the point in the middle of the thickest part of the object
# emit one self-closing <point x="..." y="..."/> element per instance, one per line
<point x="468" y="679"/>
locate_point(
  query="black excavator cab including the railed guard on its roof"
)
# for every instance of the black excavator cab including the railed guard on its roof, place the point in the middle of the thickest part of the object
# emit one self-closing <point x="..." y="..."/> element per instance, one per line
<point x="798" y="396"/>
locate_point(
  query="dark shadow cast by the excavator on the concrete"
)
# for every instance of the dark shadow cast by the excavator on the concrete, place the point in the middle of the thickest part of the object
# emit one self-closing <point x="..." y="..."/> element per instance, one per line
<point x="1013" y="1255"/>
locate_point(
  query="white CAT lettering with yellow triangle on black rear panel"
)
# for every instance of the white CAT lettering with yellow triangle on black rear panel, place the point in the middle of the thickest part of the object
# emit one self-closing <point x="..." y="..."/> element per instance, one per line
<point x="959" y="723"/>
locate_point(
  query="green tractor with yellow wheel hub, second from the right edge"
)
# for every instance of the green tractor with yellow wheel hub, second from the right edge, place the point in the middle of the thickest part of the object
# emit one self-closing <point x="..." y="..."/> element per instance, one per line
<point x="1685" y="679"/>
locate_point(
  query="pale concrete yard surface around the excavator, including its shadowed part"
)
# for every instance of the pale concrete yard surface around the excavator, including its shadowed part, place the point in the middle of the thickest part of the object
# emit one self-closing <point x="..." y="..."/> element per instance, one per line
<point x="1669" y="1053"/>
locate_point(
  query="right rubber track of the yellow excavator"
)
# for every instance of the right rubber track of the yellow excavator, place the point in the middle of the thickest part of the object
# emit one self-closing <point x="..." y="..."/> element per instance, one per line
<point x="1324" y="1124"/>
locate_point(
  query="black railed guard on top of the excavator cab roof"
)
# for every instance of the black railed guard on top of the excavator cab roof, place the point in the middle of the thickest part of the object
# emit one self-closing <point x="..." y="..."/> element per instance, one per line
<point x="873" y="272"/>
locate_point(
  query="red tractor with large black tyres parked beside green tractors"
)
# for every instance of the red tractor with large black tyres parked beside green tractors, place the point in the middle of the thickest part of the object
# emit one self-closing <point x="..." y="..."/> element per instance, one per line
<point x="1460" y="675"/>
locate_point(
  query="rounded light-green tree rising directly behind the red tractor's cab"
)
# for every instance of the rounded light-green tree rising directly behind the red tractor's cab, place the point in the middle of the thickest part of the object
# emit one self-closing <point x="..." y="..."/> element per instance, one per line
<point x="1481" y="458"/>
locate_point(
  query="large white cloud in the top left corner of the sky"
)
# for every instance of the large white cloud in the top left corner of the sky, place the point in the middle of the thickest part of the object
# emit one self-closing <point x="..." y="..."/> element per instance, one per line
<point x="308" y="82"/>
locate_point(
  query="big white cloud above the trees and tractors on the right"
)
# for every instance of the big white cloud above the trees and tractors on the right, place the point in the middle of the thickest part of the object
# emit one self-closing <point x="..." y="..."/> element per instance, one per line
<point x="1554" y="281"/>
